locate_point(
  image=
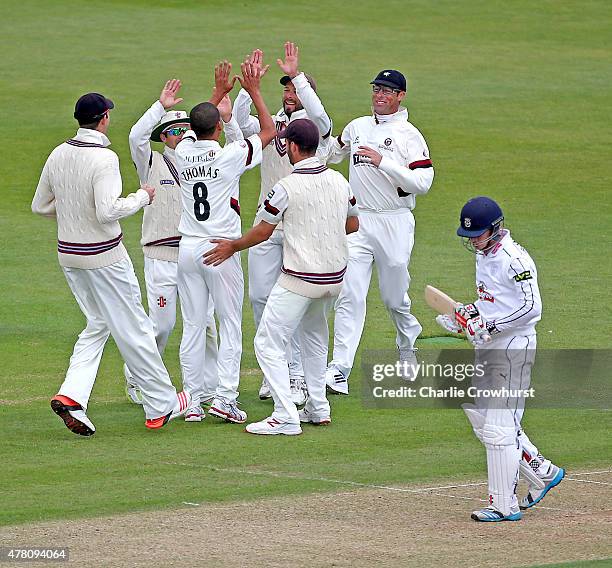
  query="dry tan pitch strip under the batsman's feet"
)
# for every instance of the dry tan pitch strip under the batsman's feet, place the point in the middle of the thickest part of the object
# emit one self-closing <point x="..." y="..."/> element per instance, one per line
<point x="367" y="526"/>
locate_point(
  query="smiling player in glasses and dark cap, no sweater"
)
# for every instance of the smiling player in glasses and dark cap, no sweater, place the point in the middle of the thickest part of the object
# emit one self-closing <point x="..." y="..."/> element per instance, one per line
<point x="389" y="166"/>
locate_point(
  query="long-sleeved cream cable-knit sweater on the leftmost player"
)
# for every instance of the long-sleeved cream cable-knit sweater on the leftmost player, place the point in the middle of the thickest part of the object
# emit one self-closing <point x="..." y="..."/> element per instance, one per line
<point x="81" y="186"/>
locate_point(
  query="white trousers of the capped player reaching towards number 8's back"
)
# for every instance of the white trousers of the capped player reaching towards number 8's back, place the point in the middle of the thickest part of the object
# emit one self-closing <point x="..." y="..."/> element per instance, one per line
<point x="286" y="312"/>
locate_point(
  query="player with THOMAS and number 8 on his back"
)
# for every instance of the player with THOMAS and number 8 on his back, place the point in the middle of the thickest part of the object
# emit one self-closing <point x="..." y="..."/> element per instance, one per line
<point x="210" y="178"/>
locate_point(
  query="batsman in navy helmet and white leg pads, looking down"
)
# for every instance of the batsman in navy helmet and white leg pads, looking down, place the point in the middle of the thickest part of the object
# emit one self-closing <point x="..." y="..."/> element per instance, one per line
<point x="501" y="324"/>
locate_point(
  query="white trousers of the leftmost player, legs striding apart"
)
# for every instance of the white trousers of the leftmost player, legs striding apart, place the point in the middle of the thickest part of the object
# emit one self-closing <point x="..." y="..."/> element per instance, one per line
<point x="110" y="299"/>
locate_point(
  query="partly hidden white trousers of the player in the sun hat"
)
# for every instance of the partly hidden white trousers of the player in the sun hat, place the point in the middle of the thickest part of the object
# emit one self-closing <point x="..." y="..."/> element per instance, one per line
<point x="161" y="279"/>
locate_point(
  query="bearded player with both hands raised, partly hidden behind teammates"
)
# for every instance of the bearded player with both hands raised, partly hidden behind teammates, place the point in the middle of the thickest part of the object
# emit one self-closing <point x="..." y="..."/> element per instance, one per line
<point x="300" y="100"/>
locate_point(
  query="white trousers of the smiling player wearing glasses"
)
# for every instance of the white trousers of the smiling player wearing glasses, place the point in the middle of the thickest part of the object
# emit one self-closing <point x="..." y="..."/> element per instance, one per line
<point x="384" y="239"/>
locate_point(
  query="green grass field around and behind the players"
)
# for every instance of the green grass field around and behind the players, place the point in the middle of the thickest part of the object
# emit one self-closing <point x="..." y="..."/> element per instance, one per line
<point x="513" y="99"/>
